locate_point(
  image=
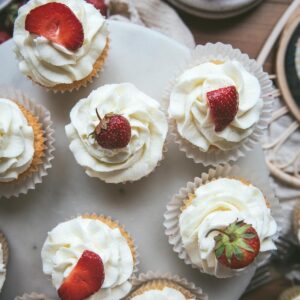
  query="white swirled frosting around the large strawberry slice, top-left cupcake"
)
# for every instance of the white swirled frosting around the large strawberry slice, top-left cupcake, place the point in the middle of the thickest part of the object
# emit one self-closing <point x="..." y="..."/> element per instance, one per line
<point x="50" y="64"/>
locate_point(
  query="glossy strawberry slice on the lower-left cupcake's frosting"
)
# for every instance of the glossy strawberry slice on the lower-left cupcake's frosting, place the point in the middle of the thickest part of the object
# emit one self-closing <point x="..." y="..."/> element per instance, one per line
<point x="85" y="279"/>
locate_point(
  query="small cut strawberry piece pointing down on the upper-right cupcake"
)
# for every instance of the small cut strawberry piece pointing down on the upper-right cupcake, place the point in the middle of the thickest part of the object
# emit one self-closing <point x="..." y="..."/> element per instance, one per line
<point x="223" y="104"/>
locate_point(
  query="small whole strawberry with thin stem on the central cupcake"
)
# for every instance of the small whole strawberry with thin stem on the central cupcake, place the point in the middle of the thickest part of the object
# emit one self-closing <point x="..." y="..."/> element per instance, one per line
<point x="112" y="132"/>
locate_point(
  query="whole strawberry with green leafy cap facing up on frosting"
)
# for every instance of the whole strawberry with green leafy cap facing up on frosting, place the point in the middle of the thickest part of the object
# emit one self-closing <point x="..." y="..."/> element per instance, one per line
<point x="237" y="245"/>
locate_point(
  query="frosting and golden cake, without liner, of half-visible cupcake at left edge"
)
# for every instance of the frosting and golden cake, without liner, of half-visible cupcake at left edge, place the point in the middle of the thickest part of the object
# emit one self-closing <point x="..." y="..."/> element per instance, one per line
<point x="22" y="141"/>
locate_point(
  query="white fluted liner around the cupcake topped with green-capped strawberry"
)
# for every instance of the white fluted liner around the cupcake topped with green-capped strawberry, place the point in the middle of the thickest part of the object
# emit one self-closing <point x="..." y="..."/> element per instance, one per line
<point x="171" y="216"/>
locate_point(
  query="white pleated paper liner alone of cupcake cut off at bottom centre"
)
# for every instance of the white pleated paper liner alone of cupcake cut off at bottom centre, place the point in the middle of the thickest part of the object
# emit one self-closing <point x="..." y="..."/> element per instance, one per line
<point x="143" y="278"/>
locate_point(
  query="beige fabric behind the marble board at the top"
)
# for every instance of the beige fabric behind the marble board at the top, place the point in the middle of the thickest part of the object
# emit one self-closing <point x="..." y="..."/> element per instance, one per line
<point x="153" y="14"/>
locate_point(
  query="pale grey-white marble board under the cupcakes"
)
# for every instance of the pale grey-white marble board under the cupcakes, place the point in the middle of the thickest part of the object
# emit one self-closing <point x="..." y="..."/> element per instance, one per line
<point x="147" y="59"/>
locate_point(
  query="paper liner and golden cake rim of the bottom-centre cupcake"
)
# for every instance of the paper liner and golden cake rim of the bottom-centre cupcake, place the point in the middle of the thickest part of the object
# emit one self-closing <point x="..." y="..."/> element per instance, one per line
<point x="154" y="280"/>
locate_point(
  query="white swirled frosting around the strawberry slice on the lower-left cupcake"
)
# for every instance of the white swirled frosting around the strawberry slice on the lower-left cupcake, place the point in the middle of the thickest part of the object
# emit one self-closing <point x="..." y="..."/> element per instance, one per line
<point x="66" y="243"/>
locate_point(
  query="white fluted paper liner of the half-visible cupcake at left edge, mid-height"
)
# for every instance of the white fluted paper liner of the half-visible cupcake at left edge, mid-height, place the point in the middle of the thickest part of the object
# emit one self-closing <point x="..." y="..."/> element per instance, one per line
<point x="14" y="189"/>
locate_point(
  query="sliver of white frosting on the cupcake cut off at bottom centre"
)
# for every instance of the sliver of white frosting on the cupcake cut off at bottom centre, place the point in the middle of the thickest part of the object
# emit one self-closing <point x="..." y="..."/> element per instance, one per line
<point x="165" y="294"/>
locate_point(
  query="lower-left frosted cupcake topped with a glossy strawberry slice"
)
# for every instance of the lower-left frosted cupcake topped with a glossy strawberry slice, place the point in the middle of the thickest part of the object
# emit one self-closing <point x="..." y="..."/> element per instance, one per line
<point x="90" y="257"/>
